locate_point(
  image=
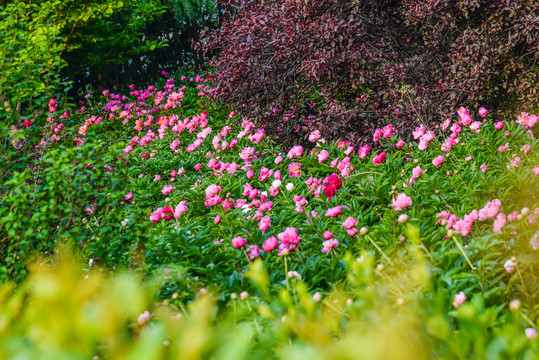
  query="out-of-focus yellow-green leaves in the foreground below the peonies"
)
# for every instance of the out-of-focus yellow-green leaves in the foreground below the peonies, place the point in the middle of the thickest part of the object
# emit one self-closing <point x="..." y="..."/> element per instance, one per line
<point x="75" y="313"/>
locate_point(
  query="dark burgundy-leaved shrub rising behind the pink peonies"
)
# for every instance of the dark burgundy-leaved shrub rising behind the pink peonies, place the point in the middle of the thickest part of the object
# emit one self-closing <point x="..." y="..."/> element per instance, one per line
<point x="346" y="67"/>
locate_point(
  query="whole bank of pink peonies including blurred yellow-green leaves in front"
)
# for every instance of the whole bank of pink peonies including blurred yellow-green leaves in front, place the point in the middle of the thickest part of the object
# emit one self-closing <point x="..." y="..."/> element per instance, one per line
<point x="232" y="246"/>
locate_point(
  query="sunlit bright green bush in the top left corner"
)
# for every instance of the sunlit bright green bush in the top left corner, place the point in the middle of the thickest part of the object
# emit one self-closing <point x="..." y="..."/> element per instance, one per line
<point x="30" y="59"/>
